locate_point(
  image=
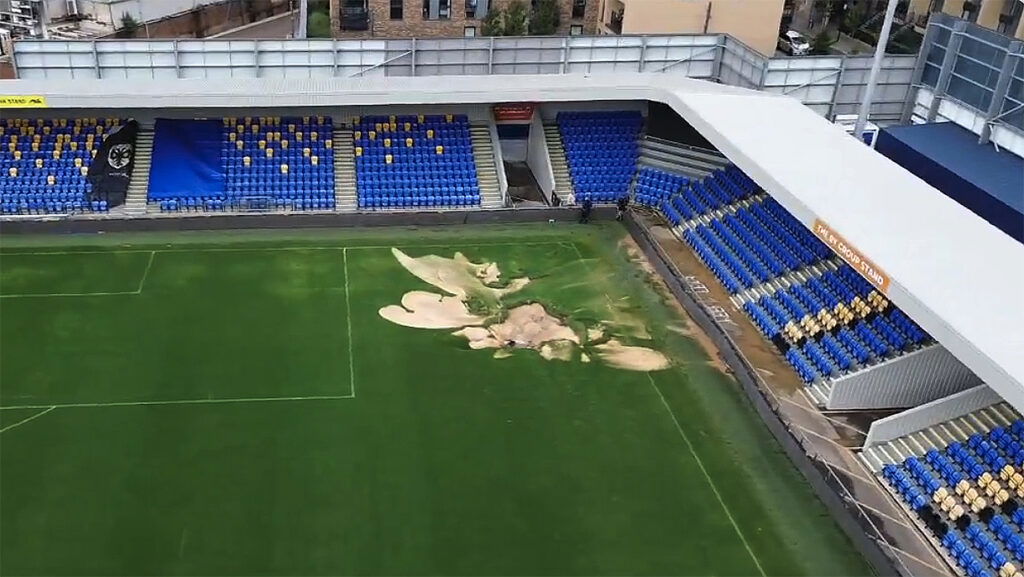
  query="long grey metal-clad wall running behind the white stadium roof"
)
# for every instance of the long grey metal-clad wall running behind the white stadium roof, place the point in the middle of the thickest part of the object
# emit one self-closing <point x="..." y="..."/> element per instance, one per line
<point x="828" y="85"/>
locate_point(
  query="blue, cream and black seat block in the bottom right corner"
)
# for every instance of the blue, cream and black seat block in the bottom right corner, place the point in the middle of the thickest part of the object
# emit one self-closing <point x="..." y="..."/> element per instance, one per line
<point x="976" y="485"/>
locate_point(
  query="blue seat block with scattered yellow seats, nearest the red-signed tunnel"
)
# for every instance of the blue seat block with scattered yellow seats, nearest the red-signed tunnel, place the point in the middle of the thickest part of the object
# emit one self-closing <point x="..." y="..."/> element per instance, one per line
<point x="415" y="161"/>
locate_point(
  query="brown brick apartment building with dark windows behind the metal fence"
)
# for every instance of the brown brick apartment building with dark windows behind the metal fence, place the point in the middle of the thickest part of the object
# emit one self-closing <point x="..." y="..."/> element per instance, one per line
<point x="426" y="19"/>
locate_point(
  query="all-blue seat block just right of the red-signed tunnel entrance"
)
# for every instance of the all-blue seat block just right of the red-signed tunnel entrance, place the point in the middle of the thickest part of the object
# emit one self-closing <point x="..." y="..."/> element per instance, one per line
<point x="602" y="149"/>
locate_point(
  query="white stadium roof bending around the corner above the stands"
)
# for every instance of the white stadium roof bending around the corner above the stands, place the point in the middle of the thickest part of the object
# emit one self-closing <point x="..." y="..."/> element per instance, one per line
<point x="959" y="277"/>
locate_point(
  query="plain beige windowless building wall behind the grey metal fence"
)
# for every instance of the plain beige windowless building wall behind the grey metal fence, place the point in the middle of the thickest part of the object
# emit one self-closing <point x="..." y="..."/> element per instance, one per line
<point x="756" y="23"/>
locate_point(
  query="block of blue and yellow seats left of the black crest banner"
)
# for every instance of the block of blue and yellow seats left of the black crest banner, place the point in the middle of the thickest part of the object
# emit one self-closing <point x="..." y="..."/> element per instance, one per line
<point x="45" y="164"/>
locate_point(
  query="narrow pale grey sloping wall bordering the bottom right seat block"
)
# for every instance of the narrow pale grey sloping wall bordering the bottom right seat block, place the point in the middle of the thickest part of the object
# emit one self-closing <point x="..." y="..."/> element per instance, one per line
<point x="919" y="419"/>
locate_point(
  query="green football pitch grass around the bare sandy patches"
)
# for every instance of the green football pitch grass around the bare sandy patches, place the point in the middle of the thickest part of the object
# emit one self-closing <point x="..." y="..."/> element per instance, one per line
<point x="235" y="404"/>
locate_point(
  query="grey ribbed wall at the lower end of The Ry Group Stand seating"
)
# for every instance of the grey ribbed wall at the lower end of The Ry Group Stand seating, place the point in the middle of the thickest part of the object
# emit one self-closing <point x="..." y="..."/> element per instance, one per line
<point x="906" y="382"/>
